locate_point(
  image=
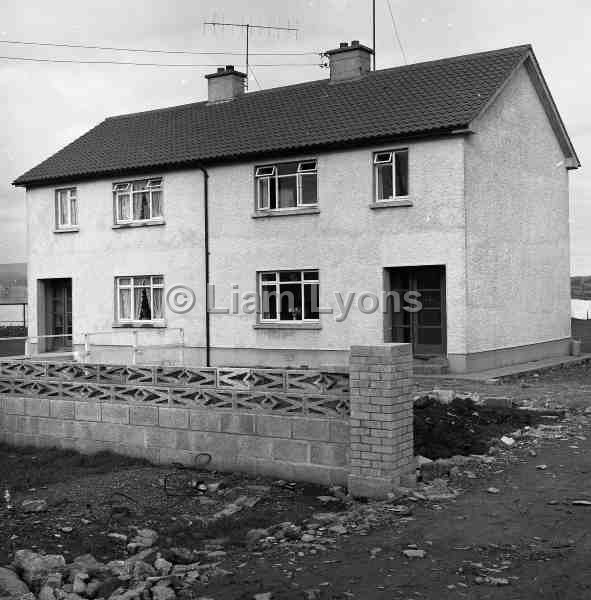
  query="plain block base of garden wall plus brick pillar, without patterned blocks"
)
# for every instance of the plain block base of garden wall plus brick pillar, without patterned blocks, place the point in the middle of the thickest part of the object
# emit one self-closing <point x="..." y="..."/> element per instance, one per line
<point x="370" y="451"/>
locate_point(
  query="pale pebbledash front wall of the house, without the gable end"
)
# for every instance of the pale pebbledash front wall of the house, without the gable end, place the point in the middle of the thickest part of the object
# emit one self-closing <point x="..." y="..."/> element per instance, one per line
<point x="348" y="242"/>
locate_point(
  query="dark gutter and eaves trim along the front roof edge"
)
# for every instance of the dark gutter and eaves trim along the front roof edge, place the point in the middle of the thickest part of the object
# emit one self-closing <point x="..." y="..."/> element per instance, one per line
<point x="459" y="128"/>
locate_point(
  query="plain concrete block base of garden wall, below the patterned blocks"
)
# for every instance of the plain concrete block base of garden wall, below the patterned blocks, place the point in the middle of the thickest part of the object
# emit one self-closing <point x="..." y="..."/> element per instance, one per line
<point x="288" y="447"/>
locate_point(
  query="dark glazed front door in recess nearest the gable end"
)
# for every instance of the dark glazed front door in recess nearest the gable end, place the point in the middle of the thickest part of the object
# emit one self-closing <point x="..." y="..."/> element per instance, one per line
<point x="424" y="328"/>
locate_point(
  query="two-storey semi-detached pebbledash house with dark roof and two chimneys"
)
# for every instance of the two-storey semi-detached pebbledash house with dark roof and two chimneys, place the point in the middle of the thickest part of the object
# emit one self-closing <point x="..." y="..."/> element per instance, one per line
<point x="320" y="204"/>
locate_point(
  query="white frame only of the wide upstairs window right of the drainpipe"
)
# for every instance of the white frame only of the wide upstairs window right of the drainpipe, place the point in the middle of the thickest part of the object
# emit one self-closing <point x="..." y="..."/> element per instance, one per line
<point x="275" y="176"/>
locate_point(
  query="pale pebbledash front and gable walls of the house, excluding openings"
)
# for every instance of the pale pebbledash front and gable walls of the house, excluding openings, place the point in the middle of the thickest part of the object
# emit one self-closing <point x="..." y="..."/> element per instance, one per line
<point x="491" y="206"/>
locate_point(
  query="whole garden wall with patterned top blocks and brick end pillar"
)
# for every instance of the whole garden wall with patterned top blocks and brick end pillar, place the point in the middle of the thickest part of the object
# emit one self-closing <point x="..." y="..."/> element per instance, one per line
<point x="361" y="438"/>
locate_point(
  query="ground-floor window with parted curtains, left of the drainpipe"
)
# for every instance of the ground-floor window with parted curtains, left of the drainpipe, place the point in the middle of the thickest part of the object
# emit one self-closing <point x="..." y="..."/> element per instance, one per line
<point x="139" y="299"/>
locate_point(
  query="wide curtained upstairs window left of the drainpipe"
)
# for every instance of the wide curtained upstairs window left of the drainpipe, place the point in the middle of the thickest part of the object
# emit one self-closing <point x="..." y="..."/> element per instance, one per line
<point x="138" y="201"/>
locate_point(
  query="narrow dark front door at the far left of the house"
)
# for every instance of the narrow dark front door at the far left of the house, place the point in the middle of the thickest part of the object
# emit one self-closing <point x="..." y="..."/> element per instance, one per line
<point x="58" y="315"/>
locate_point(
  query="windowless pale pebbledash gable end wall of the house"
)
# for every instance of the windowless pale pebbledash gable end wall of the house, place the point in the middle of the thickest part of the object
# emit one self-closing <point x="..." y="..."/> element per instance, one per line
<point x="517" y="225"/>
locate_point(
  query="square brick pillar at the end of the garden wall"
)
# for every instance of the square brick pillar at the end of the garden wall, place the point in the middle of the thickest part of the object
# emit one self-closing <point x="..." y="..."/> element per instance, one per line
<point x="381" y="425"/>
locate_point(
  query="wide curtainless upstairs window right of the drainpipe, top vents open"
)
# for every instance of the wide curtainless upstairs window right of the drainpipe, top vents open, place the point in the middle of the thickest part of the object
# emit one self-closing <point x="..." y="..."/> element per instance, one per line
<point x="285" y="186"/>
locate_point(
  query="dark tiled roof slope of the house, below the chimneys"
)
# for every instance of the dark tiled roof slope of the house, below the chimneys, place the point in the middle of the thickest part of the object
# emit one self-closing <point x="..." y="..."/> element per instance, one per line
<point x="422" y="98"/>
